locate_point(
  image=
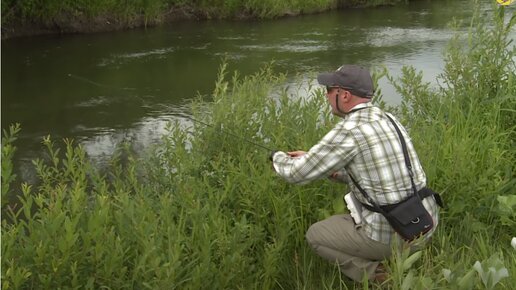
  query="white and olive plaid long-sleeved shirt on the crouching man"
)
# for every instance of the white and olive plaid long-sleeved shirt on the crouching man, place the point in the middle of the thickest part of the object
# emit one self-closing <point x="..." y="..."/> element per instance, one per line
<point x="365" y="144"/>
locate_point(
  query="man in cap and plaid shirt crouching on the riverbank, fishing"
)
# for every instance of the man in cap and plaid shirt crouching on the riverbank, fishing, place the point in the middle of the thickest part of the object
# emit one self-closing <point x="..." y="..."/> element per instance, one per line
<point x="363" y="150"/>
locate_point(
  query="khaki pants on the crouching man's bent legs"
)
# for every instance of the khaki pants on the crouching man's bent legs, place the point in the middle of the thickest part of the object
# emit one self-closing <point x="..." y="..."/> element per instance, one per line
<point x="337" y="240"/>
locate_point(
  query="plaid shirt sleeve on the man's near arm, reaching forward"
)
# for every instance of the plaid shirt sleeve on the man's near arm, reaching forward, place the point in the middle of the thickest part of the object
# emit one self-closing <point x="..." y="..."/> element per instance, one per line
<point x="331" y="154"/>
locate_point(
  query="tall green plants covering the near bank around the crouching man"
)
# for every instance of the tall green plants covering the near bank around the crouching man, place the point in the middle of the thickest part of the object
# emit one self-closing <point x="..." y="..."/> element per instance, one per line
<point x="205" y="211"/>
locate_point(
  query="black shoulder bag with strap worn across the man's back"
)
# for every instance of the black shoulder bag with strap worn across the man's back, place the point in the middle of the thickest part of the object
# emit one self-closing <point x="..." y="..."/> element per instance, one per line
<point x="408" y="218"/>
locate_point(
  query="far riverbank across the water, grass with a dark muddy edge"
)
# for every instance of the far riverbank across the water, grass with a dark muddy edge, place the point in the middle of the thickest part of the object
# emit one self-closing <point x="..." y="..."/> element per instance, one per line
<point x="30" y="18"/>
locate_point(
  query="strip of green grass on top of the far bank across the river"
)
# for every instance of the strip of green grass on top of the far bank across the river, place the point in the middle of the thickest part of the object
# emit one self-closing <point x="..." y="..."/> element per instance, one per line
<point x="67" y="14"/>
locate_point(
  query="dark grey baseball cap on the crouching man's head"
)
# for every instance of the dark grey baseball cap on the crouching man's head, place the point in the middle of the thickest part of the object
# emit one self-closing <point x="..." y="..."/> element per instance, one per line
<point x="352" y="77"/>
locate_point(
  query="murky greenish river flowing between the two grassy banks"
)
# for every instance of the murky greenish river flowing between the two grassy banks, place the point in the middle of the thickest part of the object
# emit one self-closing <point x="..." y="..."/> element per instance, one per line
<point x="105" y="88"/>
